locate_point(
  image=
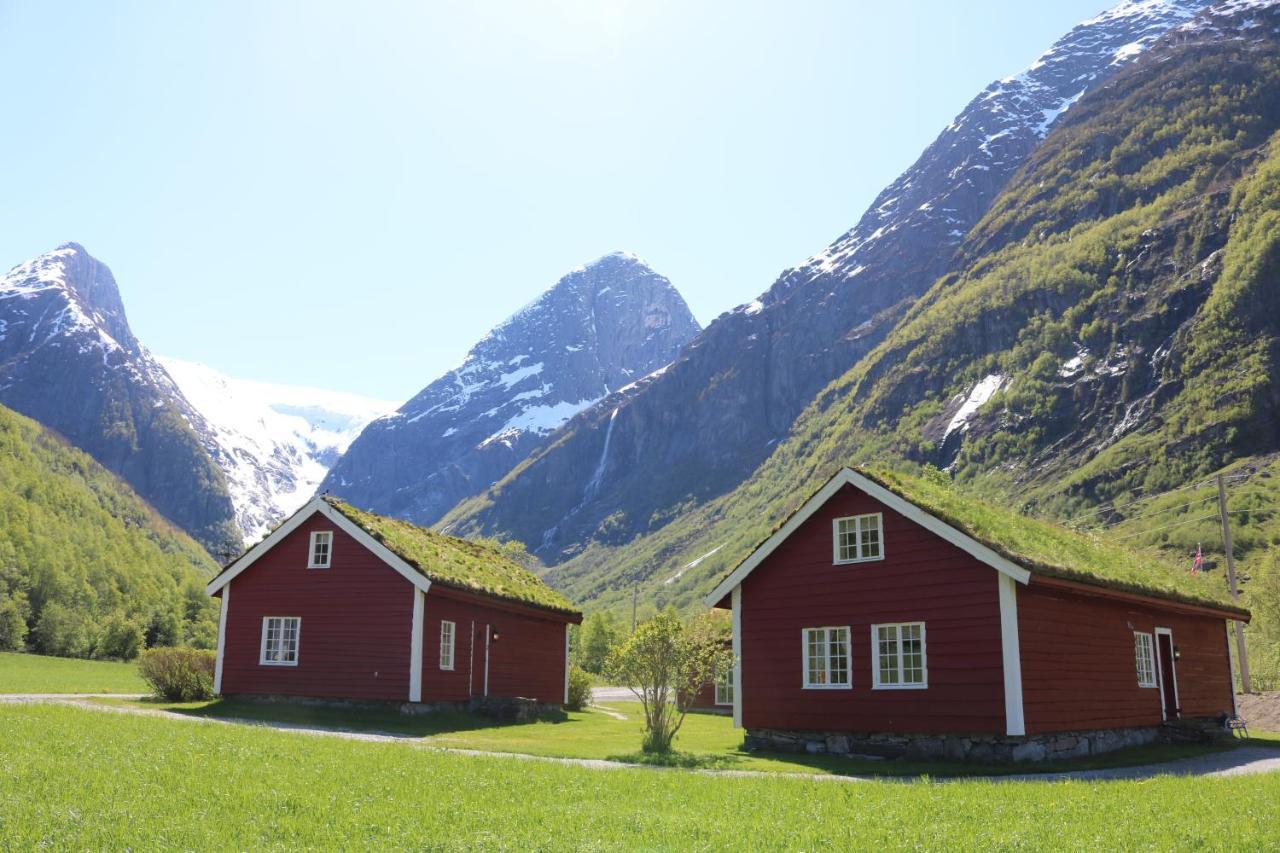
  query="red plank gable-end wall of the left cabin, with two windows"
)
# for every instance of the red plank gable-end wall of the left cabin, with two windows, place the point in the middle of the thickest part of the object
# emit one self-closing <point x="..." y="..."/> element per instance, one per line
<point x="356" y="622"/>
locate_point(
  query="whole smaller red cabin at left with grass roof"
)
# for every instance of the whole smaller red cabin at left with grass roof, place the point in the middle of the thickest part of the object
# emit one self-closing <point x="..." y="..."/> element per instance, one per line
<point x="348" y="605"/>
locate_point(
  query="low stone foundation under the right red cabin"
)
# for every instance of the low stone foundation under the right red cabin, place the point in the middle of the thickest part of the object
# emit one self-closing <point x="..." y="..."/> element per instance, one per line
<point x="980" y="749"/>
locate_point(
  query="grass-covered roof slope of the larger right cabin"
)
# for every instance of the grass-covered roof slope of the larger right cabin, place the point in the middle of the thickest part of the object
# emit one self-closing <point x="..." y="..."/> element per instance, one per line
<point x="1053" y="550"/>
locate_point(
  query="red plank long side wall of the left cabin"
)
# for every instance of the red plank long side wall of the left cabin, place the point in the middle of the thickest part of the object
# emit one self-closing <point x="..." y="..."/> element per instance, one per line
<point x="527" y="660"/>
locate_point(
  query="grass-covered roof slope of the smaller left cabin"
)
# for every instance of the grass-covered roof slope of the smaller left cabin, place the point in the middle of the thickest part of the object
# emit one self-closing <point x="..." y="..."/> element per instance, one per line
<point x="458" y="563"/>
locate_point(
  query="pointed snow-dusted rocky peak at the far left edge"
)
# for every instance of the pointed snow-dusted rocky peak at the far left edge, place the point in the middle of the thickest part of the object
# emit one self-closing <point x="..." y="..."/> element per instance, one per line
<point x="70" y="362"/>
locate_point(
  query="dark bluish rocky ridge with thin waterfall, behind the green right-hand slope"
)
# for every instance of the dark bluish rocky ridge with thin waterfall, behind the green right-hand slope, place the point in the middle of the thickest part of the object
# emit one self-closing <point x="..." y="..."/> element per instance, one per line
<point x="643" y="457"/>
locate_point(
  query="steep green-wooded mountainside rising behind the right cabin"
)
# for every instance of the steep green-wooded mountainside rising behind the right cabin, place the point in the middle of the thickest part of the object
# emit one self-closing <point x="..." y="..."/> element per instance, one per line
<point x="1110" y="332"/>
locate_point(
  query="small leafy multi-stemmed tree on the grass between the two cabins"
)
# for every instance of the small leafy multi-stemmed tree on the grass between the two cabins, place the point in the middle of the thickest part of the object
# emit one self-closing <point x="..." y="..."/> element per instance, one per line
<point x="665" y="664"/>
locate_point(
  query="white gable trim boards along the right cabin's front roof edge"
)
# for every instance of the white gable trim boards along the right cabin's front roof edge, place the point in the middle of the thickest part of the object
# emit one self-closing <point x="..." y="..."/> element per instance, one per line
<point x="900" y="505"/>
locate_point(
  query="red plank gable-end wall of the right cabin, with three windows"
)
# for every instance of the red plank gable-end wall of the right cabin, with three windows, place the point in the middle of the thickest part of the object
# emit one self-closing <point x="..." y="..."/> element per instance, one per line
<point x="922" y="578"/>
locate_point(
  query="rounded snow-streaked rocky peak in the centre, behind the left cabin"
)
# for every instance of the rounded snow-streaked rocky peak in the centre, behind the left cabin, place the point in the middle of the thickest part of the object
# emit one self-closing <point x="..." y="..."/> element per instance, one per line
<point x="602" y="327"/>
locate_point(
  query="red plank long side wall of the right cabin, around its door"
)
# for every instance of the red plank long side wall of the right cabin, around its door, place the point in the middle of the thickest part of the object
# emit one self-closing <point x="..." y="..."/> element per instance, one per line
<point x="1080" y="669"/>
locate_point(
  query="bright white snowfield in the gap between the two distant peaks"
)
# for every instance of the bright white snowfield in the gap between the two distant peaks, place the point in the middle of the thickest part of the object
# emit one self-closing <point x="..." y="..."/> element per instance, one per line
<point x="275" y="444"/>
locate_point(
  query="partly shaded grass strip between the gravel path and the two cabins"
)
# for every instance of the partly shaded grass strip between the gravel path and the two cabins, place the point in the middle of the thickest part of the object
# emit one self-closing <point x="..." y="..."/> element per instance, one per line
<point x="705" y="742"/>
